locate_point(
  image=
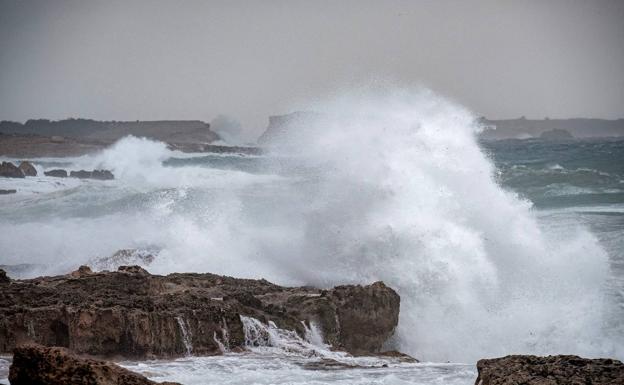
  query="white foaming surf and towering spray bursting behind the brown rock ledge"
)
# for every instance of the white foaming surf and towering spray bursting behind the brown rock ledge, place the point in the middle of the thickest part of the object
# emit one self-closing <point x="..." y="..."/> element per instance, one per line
<point x="390" y="187"/>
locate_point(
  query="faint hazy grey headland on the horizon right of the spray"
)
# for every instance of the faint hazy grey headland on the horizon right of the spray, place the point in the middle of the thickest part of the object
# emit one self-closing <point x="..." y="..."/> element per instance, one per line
<point x="522" y="128"/>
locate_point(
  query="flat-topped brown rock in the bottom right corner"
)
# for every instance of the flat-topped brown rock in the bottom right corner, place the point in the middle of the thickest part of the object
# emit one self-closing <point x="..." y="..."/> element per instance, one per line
<point x="551" y="370"/>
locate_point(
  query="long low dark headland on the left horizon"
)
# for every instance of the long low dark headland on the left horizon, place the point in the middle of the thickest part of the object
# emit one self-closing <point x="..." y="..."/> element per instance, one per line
<point x="170" y="131"/>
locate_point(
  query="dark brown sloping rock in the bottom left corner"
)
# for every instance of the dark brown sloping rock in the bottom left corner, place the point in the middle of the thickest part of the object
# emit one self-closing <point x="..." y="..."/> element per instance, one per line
<point x="35" y="364"/>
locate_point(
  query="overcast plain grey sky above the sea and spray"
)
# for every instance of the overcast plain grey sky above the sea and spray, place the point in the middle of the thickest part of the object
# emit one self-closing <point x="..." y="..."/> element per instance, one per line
<point x="148" y="60"/>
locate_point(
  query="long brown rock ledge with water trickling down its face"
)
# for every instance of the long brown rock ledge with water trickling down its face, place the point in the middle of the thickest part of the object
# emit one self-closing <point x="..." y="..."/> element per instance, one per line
<point x="134" y="314"/>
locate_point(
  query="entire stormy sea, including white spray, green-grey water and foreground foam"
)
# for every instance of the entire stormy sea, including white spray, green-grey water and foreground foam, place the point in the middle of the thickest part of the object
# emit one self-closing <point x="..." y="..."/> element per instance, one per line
<point x="495" y="248"/>
